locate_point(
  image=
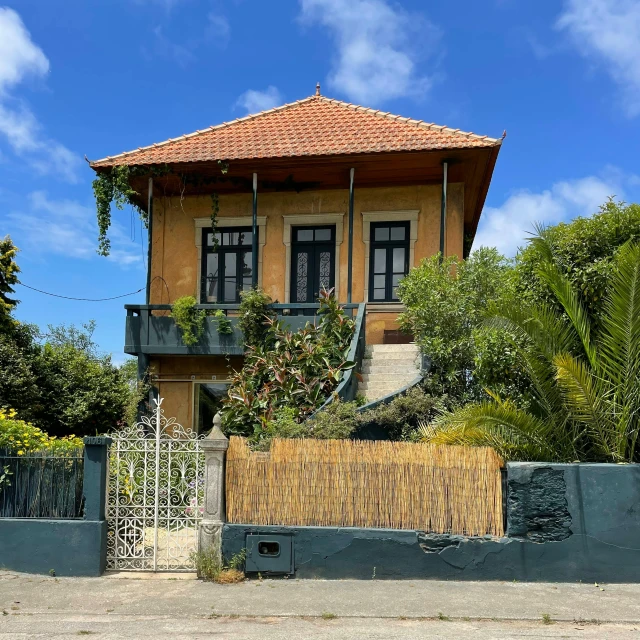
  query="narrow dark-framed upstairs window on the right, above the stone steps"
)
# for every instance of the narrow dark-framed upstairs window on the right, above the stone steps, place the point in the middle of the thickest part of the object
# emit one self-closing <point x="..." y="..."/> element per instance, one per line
<point x="389" y="257"/>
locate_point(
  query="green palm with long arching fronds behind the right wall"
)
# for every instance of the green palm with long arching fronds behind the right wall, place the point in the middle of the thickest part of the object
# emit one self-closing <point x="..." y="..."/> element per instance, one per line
<point x="586" y="386"/>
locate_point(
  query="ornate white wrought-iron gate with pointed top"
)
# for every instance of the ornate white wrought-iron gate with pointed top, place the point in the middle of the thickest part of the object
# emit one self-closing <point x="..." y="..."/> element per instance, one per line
<point x="155" y="496"/>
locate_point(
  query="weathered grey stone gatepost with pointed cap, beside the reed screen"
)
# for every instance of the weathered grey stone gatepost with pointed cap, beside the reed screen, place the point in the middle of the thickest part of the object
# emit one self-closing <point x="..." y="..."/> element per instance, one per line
<point x="215" y="447"/>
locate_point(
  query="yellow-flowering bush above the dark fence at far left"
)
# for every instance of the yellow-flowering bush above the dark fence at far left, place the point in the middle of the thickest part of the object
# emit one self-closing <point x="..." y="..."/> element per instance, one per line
<point x="23" y="438"/>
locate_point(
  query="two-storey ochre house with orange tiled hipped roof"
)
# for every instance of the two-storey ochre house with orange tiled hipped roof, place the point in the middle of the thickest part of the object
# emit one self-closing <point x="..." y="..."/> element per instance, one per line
<point x="316" y="193"/>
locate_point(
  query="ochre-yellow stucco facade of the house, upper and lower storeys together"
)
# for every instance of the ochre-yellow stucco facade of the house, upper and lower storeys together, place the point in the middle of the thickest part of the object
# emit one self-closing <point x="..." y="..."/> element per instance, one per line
<point x="175" y="257"/>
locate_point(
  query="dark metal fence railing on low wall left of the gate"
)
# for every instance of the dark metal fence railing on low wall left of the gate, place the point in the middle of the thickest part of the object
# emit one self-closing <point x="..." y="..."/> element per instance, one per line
<point x="41" y="485"/>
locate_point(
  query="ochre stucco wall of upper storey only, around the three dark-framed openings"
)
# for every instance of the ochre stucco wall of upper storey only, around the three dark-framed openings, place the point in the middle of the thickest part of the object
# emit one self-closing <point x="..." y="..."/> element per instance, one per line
<point x="175" y="259"/>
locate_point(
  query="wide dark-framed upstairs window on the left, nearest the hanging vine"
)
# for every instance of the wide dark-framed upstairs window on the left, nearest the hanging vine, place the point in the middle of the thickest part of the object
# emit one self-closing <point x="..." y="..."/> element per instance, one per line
<point x="227" y="271"/>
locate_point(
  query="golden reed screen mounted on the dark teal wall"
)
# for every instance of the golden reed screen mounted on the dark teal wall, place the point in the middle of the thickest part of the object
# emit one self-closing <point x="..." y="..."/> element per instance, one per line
<point x="346" y="483"/>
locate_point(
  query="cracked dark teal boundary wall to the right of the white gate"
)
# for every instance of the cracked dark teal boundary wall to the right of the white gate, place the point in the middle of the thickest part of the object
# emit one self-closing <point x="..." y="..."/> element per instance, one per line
<point x="565" y="523"/>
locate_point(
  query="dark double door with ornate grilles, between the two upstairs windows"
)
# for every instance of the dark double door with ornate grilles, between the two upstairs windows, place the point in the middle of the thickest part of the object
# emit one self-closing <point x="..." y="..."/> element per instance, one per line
<point x="312" y="262"/>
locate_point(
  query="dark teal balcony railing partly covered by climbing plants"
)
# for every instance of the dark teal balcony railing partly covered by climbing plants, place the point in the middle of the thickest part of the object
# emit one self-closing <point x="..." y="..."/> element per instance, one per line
<point x="151" y="330"/>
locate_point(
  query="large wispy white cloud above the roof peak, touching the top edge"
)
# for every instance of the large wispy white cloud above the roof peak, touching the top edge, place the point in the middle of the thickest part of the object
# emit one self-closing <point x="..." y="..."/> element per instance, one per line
<point x="377" y="47"/>
